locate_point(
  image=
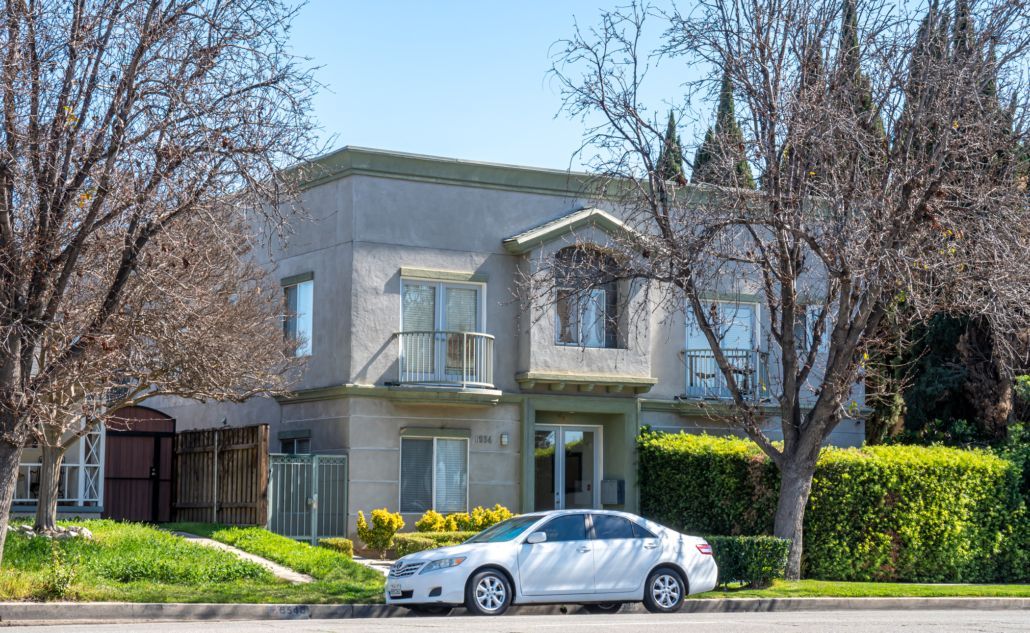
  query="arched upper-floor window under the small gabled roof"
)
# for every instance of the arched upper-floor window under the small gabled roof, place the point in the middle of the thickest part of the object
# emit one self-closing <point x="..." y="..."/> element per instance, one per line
<point x="588" y="301"/>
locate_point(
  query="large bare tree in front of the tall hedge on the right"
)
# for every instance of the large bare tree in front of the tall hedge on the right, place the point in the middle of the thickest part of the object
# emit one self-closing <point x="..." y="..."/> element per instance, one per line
<point x="853" y="220"/>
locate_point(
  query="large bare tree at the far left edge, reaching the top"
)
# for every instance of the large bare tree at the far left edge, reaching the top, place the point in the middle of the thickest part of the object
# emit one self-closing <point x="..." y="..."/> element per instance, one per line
<point x="122" y="119"/>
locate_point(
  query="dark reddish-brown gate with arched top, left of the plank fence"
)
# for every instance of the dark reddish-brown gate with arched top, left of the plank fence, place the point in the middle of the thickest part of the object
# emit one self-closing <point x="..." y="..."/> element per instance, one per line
<point x="139" y="466"/>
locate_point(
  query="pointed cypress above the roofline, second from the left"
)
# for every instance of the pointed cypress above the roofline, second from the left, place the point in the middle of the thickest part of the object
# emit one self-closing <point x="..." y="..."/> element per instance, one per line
<point x="722" y="158"/>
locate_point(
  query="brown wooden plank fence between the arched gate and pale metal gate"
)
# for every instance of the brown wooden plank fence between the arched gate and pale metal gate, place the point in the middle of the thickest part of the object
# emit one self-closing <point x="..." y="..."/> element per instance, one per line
<point x="222" y="476"/>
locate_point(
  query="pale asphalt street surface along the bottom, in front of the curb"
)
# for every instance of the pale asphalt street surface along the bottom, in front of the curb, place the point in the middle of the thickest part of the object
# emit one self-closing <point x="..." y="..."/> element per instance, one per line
<point x="811" y="622"/>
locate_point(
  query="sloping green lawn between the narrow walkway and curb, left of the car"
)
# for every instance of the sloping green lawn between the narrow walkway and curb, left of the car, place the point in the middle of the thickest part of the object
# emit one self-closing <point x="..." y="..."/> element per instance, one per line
<point x="140" y="564"/>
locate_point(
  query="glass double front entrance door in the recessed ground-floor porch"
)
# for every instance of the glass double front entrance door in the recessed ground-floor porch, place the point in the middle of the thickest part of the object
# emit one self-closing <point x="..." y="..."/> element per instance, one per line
<point x="568" y="468"/>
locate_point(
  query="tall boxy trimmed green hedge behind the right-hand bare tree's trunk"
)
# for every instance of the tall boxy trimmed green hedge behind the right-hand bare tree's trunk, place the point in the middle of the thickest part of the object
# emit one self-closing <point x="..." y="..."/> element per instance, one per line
<point x="902" y="514"/>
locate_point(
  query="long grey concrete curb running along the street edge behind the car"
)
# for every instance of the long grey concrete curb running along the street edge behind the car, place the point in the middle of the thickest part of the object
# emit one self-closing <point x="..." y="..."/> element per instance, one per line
<point x="99" y="613"/>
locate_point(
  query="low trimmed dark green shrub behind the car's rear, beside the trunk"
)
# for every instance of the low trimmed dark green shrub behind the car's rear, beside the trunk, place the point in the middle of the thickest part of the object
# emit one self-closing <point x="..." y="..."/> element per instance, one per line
<point x="756" y="560"/>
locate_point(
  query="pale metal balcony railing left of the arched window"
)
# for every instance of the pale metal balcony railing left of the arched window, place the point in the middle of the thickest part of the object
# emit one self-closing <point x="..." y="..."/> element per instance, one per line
<point x="460" y="359"/>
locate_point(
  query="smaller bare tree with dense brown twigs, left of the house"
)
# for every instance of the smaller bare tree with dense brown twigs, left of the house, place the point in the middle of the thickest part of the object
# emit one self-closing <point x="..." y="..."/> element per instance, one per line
<point x="199" y="320"/>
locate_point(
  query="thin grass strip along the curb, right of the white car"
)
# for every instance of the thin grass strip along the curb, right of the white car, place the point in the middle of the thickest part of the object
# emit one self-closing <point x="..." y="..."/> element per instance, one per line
<point x="833" y="589"/>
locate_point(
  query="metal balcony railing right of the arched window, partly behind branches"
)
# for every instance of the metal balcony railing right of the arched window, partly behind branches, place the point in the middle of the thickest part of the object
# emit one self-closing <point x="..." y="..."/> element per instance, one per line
<point x="706" y="380"/>
